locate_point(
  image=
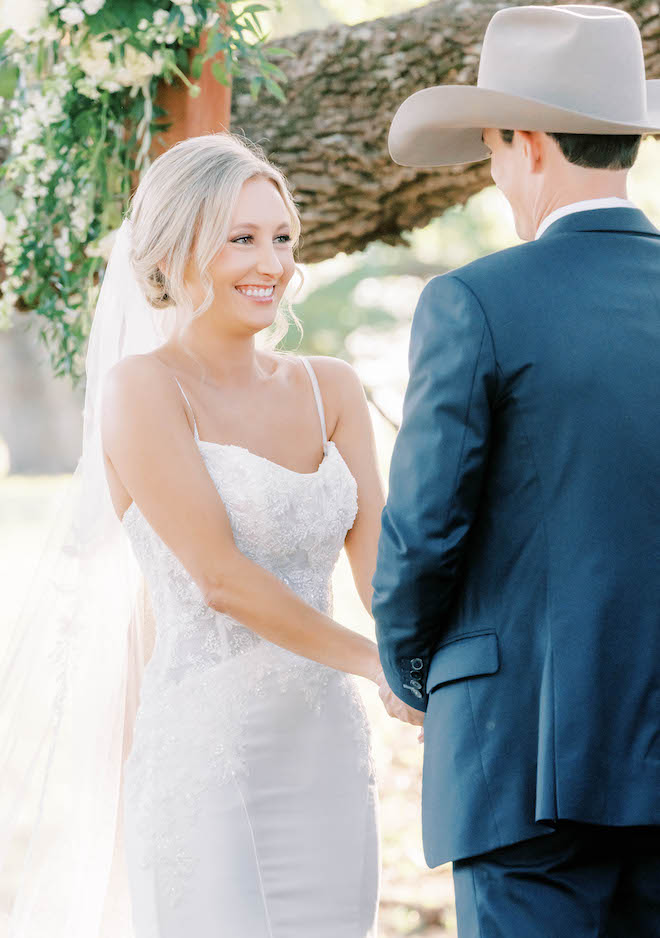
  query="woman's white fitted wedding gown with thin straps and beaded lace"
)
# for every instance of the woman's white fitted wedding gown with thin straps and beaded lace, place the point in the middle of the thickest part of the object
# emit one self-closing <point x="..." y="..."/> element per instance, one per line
<point x="250" y="802"/>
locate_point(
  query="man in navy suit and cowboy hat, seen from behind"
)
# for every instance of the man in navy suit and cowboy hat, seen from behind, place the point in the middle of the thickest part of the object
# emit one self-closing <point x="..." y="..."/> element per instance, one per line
<point x="517" y="594"/>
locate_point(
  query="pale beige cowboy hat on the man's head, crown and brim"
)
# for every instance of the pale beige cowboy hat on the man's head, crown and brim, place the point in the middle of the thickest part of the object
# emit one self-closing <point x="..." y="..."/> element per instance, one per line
<point x="572" y="69"/>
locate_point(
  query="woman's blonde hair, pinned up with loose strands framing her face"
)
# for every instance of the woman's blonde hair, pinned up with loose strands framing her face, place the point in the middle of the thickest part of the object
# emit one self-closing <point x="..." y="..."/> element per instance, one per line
<point x="183" y="207"/>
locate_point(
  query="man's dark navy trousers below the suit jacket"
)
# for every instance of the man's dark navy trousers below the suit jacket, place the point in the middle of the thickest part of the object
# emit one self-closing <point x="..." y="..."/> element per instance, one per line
<point x="582" y="881"/>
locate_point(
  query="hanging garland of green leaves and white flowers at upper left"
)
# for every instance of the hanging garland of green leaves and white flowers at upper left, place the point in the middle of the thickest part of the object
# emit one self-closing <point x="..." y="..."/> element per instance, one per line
<point x="78" y="81"/>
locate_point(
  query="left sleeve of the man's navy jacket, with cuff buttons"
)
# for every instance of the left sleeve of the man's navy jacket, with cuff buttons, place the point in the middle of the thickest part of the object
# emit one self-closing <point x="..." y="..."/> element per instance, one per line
<point x="435" y="481"/>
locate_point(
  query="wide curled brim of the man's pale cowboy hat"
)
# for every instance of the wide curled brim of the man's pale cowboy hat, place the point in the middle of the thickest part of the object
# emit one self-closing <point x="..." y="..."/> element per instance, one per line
<point x="442" y="125"/>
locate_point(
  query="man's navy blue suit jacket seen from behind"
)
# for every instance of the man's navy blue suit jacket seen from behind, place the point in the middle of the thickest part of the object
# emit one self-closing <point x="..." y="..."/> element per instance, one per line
<point x="517" y="592"/>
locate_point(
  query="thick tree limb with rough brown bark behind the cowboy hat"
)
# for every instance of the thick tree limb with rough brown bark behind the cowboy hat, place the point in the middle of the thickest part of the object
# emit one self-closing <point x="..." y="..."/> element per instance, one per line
<point x="345" y="84"/>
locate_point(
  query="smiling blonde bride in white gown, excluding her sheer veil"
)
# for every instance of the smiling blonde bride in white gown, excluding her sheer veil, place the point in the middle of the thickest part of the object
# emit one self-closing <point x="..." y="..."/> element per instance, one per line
<point x="238" y="473"/>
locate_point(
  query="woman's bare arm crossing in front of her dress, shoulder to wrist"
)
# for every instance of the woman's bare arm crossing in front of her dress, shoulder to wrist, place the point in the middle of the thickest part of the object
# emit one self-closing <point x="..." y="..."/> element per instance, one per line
<point x="149" y="442"/>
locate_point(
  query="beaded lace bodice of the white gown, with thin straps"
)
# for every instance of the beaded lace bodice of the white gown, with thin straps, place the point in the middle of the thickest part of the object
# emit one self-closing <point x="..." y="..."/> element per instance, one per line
<point x="291" y="523"/>
